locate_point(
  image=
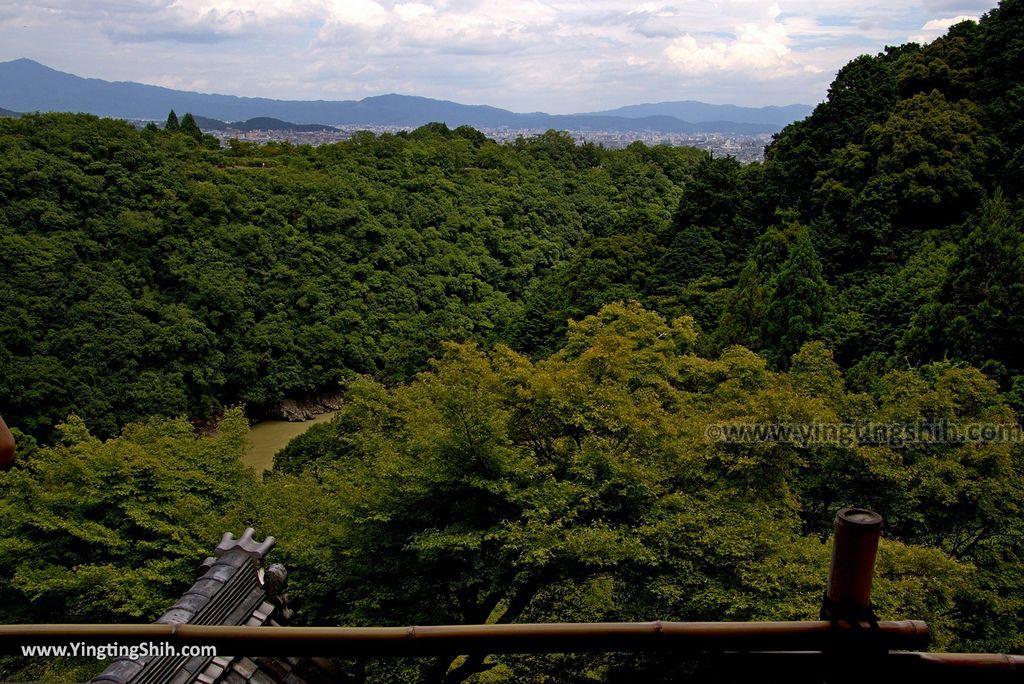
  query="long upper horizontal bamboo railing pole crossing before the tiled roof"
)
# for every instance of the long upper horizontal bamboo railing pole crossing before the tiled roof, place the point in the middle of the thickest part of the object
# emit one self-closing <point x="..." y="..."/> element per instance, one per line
<point x="460" y="639"/>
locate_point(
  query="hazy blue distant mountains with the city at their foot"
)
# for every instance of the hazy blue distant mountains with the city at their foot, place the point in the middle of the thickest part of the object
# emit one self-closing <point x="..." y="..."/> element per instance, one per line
<point x="30" y="87"/>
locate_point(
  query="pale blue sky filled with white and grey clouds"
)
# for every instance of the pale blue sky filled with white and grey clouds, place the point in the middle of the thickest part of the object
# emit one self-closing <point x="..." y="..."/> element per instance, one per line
<point x="531" y="56"/>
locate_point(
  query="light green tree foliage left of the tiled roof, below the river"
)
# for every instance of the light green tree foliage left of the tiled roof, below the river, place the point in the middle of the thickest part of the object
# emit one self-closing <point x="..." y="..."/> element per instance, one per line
<point x="109" y="532"/>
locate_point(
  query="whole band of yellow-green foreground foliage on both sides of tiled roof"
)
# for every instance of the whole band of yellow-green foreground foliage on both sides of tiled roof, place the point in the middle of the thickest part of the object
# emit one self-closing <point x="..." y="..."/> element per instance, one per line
<point x="581" y="487"/>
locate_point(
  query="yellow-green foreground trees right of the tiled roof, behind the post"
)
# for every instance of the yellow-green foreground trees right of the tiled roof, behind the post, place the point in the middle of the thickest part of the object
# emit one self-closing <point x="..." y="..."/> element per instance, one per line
<point x="582" y="488"/>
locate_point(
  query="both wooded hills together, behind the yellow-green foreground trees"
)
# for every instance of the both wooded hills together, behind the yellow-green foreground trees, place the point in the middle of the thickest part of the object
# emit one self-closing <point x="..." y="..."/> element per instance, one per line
<point x="151" y="273"/>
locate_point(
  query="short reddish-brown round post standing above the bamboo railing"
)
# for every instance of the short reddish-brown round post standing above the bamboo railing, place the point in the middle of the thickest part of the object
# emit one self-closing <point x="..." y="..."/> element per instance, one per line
<point x="848" y="594"/>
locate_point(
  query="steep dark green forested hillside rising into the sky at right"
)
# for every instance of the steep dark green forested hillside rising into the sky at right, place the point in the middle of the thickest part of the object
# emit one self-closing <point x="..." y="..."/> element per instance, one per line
<point x="887" y="224"/>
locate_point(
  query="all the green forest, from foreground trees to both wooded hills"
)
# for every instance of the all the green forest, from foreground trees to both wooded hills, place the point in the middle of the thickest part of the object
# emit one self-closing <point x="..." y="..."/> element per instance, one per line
<point x="532" y="340"/>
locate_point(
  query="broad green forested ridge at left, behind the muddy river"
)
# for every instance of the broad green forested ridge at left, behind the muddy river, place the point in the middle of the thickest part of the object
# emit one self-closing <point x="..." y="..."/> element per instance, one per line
<point x="151" y="275"/>
